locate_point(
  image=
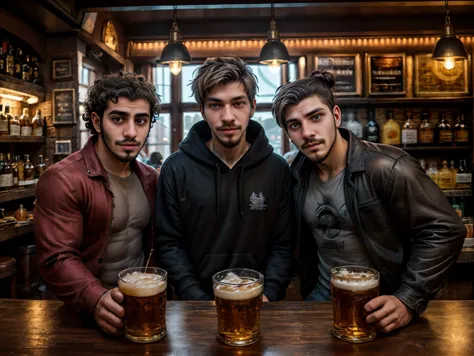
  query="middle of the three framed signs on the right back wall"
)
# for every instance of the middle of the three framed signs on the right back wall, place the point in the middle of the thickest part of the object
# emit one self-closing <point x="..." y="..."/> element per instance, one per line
<point x="386" y="74"/>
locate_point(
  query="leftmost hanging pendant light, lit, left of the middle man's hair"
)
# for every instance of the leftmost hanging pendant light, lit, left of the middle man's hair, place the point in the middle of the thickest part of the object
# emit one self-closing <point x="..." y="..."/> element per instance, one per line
<point x="175" y="52"/>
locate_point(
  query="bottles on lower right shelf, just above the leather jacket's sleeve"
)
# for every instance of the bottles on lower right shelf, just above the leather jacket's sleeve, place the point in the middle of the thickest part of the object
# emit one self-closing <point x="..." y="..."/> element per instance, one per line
<point x="449" y="177"/>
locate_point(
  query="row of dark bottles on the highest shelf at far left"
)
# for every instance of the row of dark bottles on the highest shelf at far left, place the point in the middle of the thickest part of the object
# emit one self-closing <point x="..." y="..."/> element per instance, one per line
<point x="18" y="63"/>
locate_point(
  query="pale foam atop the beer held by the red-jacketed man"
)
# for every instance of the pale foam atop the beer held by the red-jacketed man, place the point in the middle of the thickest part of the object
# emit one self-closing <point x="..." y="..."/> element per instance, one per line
<point x="138" y="284"/>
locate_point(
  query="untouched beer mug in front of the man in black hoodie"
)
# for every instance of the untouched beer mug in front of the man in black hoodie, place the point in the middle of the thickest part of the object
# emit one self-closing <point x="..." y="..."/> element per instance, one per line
<point x="238" y="293"/>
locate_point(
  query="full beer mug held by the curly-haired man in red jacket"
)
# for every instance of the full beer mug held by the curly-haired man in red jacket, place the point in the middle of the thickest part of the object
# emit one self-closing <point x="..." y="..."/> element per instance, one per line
<point x="144" y="303"/>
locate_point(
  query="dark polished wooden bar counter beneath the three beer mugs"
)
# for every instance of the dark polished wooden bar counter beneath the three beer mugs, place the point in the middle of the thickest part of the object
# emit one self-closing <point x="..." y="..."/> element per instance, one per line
<point x="31" y="327"/>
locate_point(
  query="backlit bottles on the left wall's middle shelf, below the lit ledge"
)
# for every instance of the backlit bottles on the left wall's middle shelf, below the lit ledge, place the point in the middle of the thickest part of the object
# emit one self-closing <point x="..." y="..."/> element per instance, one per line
<point x="20" y="126"/>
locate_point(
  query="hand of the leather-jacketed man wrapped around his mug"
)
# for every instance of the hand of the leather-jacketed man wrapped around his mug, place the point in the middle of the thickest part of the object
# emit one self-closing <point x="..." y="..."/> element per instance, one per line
<point x="388" y="313"/>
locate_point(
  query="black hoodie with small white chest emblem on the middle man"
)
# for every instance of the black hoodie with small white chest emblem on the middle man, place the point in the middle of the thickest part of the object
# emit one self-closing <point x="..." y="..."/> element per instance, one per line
<point x="211" y="217"/>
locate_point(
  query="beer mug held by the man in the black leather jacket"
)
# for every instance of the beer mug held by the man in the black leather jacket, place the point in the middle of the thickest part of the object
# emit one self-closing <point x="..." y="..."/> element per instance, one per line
<point x="351" y="288"/>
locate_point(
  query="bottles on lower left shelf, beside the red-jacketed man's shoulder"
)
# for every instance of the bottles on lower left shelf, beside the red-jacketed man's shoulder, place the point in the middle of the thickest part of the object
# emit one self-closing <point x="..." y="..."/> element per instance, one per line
<point x="20" y="173"/>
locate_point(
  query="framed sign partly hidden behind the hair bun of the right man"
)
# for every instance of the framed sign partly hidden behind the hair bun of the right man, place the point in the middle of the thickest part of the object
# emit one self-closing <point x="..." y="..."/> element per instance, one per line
<point x="346" y="68"/>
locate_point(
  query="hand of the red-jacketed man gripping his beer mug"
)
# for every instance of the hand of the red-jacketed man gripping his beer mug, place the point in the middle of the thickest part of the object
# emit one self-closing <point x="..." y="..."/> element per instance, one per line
<point x="108" y="312"/>
